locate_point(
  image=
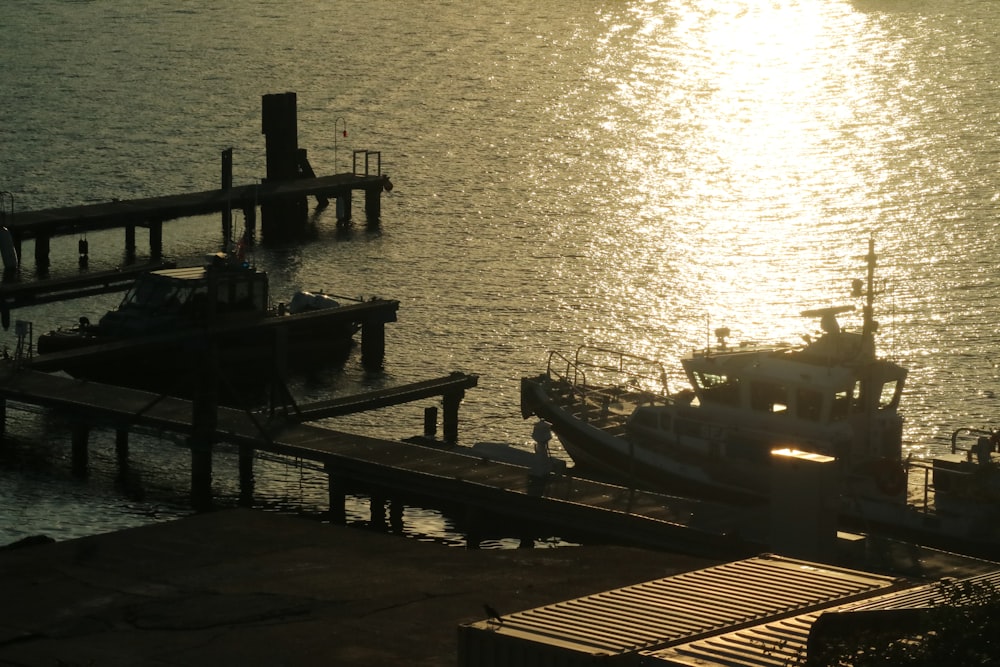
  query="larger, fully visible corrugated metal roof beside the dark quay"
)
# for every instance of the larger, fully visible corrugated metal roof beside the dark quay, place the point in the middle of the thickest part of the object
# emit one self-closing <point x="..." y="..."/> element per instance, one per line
<point x="667" y="611"/>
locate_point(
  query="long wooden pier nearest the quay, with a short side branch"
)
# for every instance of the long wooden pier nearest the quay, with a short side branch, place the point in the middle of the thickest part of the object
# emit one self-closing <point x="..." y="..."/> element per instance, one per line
<point x="391" y="469"/>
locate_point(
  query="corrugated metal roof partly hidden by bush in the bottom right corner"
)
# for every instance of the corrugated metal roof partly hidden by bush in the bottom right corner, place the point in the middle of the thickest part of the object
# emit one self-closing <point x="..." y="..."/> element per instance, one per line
<point x="783" y="642"/>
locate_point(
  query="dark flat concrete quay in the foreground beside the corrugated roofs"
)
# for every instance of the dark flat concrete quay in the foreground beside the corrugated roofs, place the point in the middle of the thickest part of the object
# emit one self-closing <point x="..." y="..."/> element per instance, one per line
<point x="243" y="587"/>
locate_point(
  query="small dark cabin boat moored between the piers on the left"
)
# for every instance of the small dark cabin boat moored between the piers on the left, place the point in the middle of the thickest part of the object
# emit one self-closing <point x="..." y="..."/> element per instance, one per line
<point x="173" y="325"/>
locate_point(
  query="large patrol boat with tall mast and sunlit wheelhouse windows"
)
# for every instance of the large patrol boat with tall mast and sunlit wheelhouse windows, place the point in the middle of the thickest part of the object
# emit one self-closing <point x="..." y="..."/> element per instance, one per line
<point x="831" y="399"/>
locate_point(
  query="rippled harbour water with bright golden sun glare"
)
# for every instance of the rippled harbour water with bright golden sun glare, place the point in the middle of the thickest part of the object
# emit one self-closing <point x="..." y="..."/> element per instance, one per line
<point x="627" y="173"/>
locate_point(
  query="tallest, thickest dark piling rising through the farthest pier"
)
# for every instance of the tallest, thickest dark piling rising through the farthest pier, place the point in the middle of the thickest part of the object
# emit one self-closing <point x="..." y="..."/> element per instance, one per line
<point x="285" y="218"/>
